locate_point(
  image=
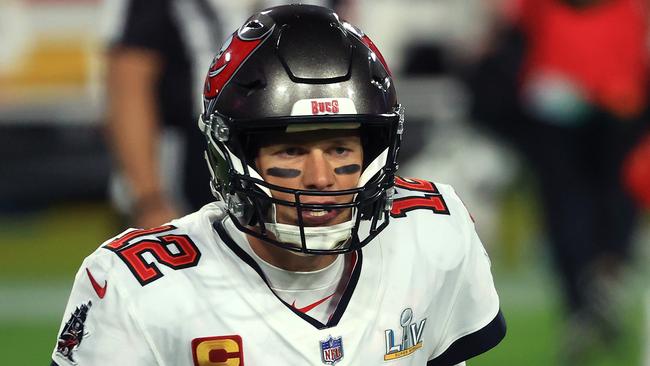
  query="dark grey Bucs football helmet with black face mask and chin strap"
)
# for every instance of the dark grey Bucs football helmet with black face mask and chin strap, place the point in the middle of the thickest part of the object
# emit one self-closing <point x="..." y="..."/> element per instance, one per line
<point x="300" y="67"/>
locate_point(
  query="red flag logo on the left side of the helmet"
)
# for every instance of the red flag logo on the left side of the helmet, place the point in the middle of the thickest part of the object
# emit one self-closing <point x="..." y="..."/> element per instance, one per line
<point x="237" y="48"/>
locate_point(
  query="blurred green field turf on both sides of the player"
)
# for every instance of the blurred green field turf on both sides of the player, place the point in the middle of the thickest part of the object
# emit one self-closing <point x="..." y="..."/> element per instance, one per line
<point x="42" y="251"/>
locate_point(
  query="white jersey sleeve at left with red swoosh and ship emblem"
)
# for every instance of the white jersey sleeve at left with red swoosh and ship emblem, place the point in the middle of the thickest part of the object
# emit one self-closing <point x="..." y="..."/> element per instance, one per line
<point x="99" y="326"/>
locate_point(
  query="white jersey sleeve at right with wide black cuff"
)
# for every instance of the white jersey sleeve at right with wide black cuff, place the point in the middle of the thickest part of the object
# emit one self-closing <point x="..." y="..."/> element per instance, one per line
<point x="474" y="323"/>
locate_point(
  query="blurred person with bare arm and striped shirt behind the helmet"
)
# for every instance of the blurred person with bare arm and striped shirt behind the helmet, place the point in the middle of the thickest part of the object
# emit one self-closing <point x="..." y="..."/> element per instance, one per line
<point x="158" y="51"/>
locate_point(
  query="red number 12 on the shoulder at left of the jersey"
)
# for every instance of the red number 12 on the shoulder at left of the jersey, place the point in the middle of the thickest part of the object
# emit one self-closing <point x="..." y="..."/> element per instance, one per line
<point x="174" y="251"/>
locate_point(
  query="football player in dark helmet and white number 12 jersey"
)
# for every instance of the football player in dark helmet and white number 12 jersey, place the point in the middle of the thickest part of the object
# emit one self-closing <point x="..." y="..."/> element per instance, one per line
<point x="315" y="252"/>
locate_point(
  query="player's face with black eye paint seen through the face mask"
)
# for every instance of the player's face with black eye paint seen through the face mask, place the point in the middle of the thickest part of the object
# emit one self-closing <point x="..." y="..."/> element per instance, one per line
<point x="321" y="160"/>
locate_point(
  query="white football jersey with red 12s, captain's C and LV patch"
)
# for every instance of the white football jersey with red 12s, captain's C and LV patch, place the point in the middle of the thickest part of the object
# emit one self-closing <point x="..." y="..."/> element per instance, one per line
<point x="421" y="293"/>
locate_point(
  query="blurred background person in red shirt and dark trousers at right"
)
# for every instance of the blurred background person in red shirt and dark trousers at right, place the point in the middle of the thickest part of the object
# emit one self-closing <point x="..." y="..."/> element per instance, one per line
<point x="575" y="79"/>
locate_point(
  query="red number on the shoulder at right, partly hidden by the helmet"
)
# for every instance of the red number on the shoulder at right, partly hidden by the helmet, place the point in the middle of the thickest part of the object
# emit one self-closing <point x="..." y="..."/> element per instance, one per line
<point x="428" y="199"/>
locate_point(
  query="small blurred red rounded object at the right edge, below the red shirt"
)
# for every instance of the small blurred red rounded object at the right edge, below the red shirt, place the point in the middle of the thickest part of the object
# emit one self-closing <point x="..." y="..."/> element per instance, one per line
<point x="636" y="170"/>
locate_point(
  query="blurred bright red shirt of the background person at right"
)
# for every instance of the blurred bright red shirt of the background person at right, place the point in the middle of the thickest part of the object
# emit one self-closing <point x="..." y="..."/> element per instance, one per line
<point x="602" y="48"/>
